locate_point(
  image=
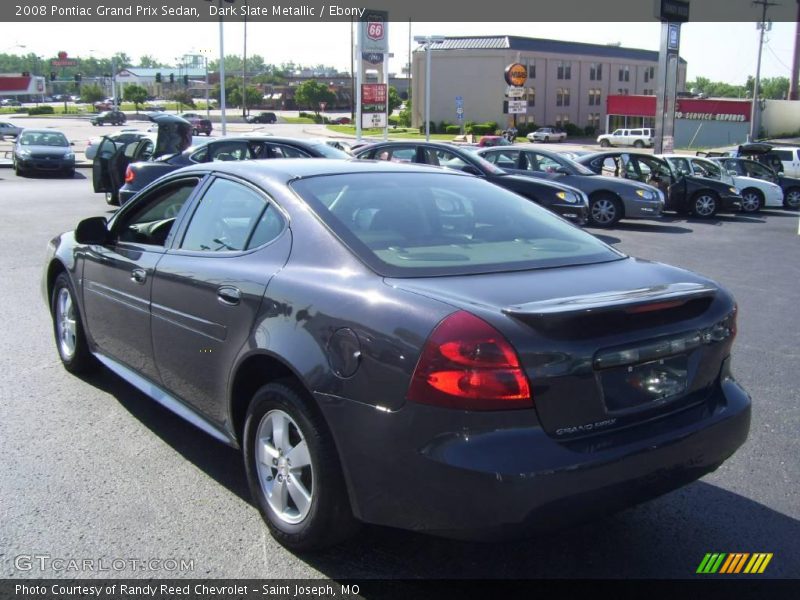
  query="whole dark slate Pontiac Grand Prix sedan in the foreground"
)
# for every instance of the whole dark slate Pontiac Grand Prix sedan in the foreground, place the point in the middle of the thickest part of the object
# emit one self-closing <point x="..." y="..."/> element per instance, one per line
<point x="402" y="345"/>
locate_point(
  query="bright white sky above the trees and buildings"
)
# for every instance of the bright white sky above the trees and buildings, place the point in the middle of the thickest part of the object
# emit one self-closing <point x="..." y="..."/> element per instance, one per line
<point x="719" y="51"/>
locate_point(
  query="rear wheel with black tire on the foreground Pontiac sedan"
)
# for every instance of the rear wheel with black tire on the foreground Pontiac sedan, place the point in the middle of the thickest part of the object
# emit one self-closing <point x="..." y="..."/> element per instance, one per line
<point x="305" y="505"/>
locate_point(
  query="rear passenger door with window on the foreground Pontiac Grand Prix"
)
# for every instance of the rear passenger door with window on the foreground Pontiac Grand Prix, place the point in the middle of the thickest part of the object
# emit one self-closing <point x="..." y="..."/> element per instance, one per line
<point x="208" y="288"/>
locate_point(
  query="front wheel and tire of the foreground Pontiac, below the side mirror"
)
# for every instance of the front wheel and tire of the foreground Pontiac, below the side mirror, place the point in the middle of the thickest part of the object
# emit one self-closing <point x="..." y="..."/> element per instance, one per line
<point x="73" y="350"/>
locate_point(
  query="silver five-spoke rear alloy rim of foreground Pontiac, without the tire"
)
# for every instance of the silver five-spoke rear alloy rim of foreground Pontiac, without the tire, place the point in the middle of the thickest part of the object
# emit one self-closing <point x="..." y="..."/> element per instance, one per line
<point x="284" y="466"/>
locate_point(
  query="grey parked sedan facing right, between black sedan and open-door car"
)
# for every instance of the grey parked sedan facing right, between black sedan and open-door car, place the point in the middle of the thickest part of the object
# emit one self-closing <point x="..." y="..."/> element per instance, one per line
<point x="609" y="199"/>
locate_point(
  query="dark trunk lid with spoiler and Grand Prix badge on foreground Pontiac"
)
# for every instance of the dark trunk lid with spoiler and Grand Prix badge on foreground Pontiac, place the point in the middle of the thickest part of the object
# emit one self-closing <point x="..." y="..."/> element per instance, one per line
<point x="600" y="354"/>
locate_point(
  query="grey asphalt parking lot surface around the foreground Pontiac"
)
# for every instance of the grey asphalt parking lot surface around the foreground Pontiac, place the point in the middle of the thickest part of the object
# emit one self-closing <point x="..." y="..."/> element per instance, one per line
<point x="93" y="469"/>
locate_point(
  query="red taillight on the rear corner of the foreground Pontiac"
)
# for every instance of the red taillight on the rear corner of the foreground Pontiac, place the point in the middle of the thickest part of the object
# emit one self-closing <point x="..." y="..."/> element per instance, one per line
<point x="467" y="364"/>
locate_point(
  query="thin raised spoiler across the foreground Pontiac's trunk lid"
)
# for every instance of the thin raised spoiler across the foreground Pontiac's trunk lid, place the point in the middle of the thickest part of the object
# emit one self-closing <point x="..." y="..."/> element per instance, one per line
<point x="639" y="300"/>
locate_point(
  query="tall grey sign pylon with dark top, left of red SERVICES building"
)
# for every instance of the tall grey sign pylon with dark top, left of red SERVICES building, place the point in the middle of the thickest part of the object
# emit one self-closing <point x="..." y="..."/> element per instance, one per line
<point x="671" y="13"/>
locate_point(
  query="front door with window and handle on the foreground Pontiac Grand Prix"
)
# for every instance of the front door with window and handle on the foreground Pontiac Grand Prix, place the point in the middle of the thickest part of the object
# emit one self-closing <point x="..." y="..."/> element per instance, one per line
<point x="118" y="276"/>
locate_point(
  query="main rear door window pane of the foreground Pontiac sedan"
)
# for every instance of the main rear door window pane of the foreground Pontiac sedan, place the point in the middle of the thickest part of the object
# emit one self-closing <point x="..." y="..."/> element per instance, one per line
<point x="225" y="219"/>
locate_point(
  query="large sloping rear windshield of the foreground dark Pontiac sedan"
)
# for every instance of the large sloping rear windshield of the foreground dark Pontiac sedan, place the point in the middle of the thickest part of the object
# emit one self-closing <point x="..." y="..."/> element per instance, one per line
<point x="420" y="224"/>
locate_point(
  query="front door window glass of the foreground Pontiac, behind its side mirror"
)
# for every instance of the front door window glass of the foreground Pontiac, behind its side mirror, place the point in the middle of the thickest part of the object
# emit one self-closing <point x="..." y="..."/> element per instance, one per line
<point x="150" y="219"/>
